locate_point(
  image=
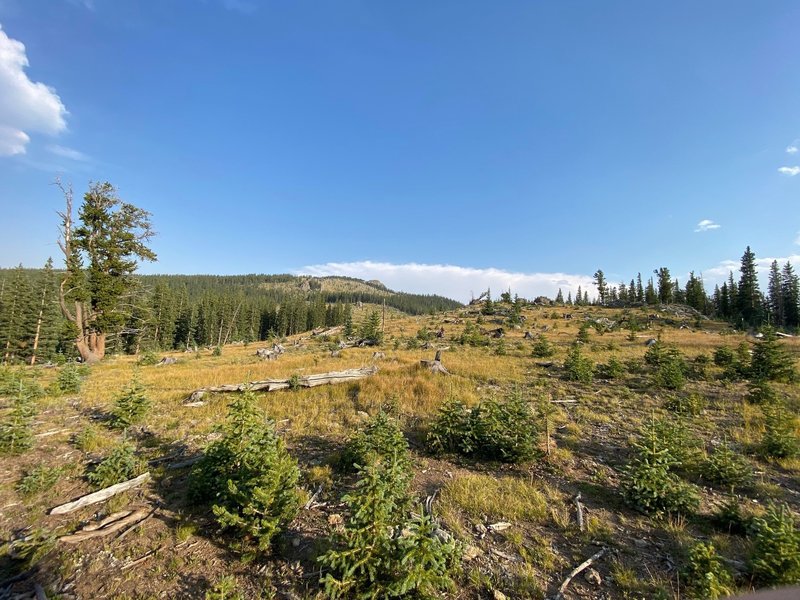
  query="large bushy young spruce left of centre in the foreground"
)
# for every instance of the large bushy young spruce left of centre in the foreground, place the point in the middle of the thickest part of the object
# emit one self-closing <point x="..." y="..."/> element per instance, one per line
<point x="249" y="476"/>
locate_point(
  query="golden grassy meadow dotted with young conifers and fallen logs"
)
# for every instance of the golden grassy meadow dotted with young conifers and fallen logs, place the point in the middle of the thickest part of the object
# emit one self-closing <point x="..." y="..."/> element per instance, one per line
<point x="586" y="436"/>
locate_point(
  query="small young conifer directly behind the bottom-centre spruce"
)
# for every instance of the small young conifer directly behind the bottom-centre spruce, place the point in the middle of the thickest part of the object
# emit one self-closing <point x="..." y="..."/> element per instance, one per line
<point x="381" y="437"/>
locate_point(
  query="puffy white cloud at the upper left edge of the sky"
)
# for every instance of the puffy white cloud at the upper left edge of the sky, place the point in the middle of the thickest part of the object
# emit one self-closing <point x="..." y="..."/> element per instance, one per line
<point x="25" y="106"/>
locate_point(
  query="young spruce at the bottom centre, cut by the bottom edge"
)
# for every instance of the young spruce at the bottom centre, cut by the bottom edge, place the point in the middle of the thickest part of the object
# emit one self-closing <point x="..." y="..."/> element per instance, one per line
<point x="383" y="550"/>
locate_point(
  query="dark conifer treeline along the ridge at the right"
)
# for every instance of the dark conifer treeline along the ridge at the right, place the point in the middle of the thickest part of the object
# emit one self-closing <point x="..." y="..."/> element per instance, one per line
<point x="739" y="301"/>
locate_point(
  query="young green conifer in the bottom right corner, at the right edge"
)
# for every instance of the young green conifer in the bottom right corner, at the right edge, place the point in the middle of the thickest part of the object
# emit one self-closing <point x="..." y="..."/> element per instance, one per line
<point x="775" y="557"/>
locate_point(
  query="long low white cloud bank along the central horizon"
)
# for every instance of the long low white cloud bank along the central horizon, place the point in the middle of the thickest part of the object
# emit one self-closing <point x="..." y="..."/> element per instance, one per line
<point x="454" y="281"/>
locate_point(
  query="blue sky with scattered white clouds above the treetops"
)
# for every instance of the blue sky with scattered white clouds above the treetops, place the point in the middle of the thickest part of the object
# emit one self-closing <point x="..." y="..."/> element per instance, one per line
<point x="438" y="146"/>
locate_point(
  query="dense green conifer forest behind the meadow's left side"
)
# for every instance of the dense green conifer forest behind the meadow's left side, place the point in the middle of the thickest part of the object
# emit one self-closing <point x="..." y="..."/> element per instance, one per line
<point x="165" y="312"/>
